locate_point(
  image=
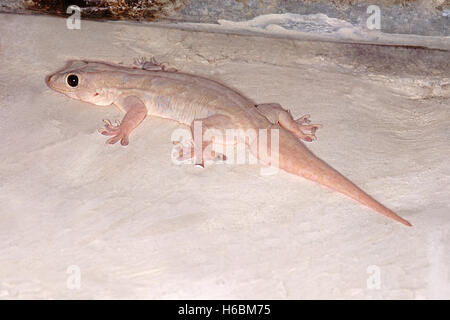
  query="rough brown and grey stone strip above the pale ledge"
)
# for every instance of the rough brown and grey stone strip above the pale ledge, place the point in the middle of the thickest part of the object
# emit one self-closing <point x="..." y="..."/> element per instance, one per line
<point x="423" y="17"/>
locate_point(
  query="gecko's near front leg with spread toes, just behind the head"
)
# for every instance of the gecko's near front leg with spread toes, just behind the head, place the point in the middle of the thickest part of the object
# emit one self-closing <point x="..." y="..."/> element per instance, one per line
<point x="135" y="113"/>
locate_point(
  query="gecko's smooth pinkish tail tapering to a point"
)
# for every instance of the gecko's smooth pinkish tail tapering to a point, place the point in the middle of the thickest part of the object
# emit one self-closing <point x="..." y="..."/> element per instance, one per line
<point x="297" y="159"/>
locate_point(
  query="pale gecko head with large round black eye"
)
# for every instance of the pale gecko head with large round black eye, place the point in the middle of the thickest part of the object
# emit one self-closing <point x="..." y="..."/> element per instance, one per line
<point x="80" y="80"/>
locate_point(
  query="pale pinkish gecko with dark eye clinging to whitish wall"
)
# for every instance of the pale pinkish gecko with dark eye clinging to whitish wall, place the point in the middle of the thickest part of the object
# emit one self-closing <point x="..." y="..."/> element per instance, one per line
<point x="149" y="88"/>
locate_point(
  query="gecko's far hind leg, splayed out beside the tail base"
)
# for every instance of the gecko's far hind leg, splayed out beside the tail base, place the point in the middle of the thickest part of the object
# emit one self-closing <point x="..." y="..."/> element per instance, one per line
<point x="275" y="113"/>
